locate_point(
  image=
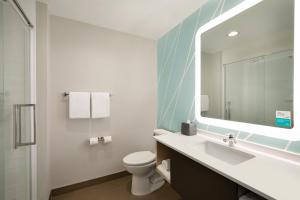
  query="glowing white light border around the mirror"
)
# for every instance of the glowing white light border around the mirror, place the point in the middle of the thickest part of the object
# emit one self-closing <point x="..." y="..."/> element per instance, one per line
<point x="286" y="134"/>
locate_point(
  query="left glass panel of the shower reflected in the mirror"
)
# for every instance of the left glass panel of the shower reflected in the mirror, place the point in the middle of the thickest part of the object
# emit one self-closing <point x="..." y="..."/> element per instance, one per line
<point x="244" y="91"/>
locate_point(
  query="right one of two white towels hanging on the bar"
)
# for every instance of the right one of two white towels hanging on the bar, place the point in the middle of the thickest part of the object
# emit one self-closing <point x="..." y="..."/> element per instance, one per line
<point x="100" y="105"/>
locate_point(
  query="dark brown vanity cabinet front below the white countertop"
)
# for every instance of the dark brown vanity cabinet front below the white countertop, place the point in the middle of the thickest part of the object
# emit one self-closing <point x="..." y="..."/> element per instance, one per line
<point x="195" y="182"/>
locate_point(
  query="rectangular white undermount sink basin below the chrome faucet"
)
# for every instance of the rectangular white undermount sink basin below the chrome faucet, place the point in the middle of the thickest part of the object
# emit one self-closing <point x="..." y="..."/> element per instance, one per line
<point x="227" y="154"/>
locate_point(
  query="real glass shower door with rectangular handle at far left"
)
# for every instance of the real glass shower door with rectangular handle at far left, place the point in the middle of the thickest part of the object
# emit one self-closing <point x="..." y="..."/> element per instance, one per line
<point x="17" y="117"/>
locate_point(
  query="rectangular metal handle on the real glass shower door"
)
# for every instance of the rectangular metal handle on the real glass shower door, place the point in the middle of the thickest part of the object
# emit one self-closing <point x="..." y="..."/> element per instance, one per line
<point x="18" y="133"/>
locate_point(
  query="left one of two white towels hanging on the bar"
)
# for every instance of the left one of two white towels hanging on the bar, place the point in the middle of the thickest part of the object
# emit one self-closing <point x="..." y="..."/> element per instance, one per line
<point x="79" y="105"/>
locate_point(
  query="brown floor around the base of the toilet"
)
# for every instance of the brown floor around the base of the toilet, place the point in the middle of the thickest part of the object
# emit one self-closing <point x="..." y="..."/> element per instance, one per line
<point x="118" y="189"/>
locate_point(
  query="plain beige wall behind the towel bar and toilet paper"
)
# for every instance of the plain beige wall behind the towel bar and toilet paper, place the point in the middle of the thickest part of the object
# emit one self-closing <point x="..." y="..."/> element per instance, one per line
<point x="88" y="58"/>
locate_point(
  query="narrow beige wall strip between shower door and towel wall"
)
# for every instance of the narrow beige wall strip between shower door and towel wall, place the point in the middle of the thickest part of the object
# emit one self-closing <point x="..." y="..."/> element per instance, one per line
<point x="43" y="182"/>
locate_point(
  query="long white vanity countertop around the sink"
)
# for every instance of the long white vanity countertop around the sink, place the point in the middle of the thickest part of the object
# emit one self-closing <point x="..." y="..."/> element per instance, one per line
<point x="267" y="175"/>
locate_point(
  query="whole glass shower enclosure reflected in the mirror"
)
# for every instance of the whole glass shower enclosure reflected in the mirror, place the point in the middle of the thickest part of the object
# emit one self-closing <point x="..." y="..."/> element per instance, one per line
<point x="255" y="88"/>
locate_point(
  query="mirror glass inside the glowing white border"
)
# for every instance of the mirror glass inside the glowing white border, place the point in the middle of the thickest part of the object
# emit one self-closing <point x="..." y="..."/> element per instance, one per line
<point x="247" y="66"/>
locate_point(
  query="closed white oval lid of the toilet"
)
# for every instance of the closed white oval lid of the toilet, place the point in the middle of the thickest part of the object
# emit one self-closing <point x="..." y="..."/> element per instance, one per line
<point x="139" y="158"/>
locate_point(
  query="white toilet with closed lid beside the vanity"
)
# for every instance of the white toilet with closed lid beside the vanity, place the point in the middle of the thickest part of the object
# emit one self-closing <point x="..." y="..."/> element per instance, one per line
<point x="142" y="166"/>
